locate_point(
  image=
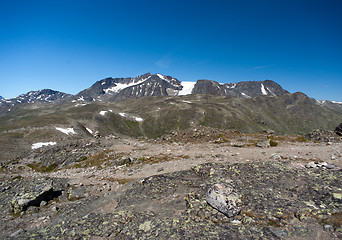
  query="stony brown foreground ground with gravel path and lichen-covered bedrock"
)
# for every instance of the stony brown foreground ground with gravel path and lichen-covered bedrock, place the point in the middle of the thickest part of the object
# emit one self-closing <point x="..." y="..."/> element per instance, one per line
<point x="287" y="188"/>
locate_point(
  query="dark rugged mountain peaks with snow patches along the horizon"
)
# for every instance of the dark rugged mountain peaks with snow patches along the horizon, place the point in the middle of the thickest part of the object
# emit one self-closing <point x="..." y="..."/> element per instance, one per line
<point x="117" y="89"/>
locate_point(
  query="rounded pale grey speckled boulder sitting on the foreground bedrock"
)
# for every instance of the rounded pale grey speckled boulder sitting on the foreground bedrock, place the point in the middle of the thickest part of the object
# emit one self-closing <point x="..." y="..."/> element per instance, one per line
<point x="225" y="199"/>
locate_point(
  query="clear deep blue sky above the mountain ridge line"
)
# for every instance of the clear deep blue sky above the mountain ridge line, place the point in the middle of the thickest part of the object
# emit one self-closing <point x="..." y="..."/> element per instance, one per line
<point x="68" y="45"/>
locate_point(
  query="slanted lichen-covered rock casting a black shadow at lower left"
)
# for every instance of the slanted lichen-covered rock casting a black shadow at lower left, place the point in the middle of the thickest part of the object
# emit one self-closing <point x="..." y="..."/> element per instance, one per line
<point x="31" y="194"/>
